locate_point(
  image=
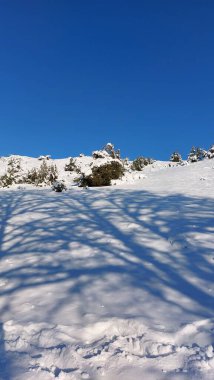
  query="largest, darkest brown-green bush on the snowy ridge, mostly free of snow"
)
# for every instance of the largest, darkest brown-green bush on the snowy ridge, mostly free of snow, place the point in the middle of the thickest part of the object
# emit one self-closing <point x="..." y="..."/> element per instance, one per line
<point x="102" y="175"/>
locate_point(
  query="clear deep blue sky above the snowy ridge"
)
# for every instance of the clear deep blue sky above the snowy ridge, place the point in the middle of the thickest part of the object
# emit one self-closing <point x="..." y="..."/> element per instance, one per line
<point x="75" y="74"/>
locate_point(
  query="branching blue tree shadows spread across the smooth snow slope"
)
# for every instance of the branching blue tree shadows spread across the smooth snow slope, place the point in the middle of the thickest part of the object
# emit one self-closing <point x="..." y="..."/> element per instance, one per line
<point x="91" y="243"/>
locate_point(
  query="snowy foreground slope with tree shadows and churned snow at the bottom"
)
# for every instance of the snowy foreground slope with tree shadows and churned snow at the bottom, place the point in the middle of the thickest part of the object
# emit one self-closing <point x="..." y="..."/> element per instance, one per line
<point x="112" y="283"/>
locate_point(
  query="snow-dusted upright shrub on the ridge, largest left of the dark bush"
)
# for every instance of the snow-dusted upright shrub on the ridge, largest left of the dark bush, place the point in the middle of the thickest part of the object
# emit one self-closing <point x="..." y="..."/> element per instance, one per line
<point x="44" y="175"/>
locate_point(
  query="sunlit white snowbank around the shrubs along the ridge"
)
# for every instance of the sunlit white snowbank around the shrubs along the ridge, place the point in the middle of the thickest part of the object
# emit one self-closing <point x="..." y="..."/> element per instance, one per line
<point x="20" y="166"/>
